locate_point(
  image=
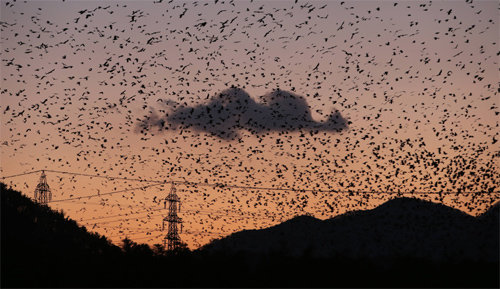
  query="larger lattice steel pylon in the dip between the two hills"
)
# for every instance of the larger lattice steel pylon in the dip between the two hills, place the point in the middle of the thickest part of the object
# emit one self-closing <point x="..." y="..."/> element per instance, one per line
<point x="172" y="239"/>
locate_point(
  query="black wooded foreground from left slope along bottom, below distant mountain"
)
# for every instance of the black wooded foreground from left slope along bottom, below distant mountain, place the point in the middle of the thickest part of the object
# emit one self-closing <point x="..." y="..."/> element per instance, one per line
<point x="44" y="248"/>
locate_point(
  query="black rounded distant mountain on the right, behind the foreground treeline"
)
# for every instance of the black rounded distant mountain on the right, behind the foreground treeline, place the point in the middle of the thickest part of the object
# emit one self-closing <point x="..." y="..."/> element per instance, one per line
<point x="399" y="228"/>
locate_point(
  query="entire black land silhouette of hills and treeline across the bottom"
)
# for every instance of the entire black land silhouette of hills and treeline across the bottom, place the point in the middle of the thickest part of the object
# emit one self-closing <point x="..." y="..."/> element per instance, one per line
<point x="44" y="248"/>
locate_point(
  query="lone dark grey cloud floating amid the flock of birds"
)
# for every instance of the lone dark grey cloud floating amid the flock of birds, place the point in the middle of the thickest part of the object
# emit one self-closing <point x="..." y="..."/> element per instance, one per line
<point x="233" y="109"/>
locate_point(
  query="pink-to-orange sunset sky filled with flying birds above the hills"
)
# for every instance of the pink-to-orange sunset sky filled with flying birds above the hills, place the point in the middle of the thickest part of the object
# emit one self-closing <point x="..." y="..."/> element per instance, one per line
<point x="344" y="100"/>
